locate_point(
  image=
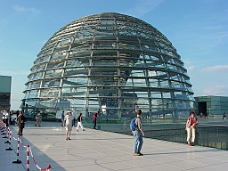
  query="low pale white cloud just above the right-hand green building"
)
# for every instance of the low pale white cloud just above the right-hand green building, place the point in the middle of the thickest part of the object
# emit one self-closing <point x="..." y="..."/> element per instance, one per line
<point x="219" y="90"/>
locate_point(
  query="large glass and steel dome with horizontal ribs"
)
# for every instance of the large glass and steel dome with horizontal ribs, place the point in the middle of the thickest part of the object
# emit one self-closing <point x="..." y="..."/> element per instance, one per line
<point x="109" y="62"/>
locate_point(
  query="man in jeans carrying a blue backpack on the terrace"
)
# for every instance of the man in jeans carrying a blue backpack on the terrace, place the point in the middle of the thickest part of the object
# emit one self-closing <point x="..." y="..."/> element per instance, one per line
<point x="138" y="135"/>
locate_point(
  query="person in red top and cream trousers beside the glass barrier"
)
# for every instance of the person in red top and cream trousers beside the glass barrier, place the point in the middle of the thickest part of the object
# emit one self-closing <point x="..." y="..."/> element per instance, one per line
<point x="191" y="123"/>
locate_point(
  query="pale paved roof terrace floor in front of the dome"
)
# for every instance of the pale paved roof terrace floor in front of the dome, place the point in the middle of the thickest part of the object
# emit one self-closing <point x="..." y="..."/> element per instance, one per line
<point x="101" y="151"/>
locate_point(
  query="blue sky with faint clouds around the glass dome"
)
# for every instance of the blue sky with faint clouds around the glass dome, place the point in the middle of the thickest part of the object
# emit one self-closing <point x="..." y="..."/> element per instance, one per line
<point x="198" y="29"/>
